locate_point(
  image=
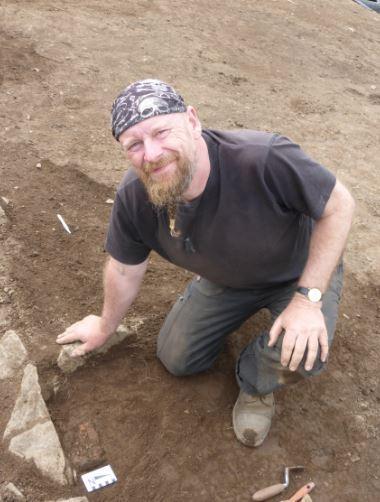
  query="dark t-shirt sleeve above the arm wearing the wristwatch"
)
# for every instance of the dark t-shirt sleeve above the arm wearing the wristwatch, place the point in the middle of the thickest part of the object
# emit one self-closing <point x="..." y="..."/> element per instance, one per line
<point x="297" y="182"/>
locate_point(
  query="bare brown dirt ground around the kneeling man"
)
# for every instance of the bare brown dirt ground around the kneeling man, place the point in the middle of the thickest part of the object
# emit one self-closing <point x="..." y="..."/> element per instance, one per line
<point x="309" y="70"/>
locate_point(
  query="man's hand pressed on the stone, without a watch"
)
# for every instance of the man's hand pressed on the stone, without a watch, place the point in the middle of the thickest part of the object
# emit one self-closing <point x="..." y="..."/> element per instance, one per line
<point x="88" y="331"/>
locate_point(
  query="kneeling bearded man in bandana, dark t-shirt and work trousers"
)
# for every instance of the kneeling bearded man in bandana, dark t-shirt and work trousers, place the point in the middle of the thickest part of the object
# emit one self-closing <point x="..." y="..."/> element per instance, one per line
<point x="262" y="225"/>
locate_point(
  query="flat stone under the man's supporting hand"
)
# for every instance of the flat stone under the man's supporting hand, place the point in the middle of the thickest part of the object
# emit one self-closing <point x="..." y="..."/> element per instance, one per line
<point x="69" y="364"/>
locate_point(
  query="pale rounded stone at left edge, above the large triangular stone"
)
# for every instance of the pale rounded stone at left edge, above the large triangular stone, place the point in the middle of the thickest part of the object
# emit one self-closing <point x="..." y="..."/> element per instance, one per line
<point x="12" y="354"/>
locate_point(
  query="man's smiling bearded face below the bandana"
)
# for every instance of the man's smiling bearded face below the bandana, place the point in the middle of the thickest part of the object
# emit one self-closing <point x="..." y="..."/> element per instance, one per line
<point x="162" y="151"/>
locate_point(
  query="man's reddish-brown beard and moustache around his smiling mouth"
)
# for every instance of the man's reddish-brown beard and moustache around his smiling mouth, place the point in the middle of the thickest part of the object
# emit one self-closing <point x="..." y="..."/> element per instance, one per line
<point x="167" y="190"/>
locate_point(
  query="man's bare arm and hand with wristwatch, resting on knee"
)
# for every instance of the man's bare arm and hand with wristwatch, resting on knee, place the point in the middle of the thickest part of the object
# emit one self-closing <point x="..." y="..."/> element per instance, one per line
<point x="303" y="320"/>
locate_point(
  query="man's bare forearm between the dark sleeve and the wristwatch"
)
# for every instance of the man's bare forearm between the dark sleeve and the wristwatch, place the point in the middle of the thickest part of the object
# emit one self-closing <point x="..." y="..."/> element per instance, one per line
<point x="328" y="240"/>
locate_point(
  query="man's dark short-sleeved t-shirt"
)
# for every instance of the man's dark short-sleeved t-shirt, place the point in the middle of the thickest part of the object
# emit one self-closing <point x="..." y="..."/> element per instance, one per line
<point x="250" y="227"/>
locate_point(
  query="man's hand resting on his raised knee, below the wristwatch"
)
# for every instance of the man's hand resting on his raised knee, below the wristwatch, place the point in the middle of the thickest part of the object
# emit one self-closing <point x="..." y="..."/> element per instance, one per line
<point x="305" y="329"/>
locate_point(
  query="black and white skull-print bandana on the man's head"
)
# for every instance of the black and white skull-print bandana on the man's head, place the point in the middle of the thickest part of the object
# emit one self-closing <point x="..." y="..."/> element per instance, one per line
<point x="140" y="101"/>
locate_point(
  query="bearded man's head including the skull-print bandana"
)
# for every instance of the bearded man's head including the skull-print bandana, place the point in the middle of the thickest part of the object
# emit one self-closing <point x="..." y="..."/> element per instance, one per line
<point x="158" y="134"/>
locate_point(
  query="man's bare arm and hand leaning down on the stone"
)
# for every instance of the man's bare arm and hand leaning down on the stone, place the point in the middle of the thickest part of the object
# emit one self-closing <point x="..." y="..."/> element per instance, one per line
<point x="121" y="285"/>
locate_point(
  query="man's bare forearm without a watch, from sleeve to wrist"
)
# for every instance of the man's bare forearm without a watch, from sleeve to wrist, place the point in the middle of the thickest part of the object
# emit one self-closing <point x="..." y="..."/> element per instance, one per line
<point x="121" y="285"/>
